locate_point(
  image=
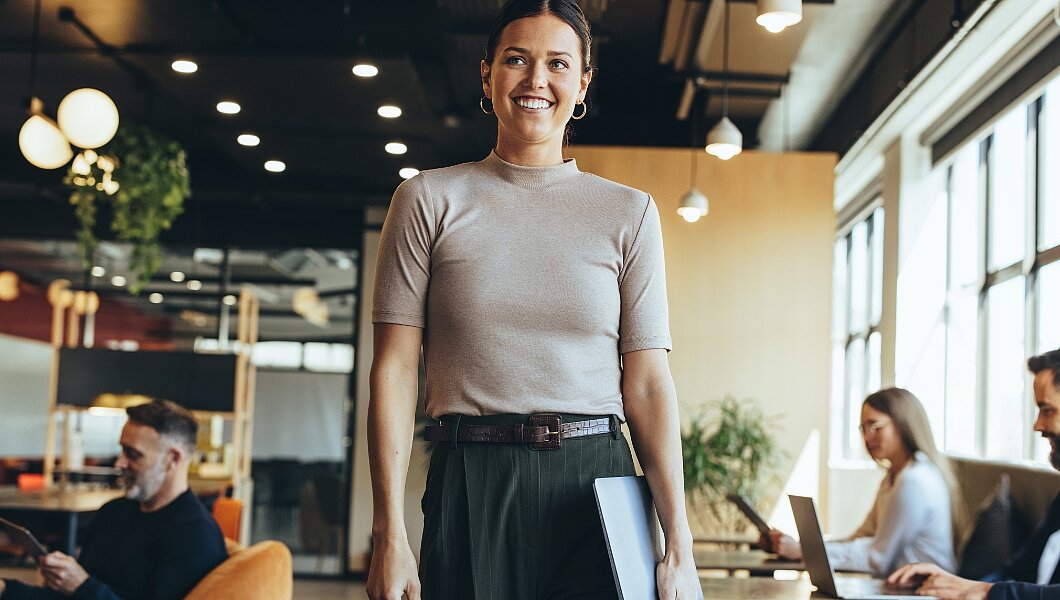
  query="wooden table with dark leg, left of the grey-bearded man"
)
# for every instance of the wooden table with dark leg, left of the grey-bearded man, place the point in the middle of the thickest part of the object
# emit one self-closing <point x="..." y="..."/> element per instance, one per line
<point x="70" y="503"/>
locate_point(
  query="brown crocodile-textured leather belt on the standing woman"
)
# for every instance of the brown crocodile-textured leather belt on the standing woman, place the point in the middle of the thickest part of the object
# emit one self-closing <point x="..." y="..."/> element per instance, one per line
<point x="544" y="432"/>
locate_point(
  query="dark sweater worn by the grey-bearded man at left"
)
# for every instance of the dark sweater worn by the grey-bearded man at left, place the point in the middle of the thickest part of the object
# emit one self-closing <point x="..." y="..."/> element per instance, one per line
<point x="133" y="555"/>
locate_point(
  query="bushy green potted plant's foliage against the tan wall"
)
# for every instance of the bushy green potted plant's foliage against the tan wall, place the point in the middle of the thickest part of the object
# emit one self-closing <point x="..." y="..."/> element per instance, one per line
<point x="730" y="449"/>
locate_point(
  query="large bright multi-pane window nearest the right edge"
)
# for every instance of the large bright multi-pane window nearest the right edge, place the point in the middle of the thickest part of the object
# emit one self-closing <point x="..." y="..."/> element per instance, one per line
<point x="1003" y="279"/>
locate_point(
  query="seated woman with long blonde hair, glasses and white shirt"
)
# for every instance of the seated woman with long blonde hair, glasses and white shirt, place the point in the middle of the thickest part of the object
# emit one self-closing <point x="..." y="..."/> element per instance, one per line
<point x="912" y="518"/>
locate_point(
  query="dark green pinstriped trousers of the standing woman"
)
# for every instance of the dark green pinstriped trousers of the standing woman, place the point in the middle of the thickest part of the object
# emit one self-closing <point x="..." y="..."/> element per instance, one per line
<point x="503" y="522"/>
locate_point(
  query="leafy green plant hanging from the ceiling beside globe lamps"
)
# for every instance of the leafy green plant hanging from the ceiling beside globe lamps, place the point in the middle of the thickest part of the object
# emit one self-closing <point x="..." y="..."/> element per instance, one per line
<point x="144" y="175"/>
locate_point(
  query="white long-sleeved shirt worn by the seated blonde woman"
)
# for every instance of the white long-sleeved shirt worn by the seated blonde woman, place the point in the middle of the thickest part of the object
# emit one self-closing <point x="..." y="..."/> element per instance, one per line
<point x="910" y="523"/>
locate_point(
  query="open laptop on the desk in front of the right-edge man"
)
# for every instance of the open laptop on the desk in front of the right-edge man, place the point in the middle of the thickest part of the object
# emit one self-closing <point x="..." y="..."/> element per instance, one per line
<point x="822" y="574"/>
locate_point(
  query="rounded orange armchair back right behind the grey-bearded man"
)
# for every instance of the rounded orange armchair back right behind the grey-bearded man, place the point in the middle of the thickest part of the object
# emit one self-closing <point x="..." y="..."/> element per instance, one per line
<point x="262" y="572"/>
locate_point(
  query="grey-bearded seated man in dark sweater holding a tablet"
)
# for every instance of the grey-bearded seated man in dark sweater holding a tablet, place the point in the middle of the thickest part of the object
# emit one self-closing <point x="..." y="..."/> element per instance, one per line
<point x="158" y="541"/>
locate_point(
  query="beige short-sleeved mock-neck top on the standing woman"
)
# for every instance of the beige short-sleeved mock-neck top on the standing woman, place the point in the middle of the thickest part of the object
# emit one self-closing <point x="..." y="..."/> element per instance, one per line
<point x="528" y="283"/>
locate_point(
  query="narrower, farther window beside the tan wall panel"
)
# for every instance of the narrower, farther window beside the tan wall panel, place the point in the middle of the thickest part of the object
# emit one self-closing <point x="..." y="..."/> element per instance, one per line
<point x="858" y="306"/>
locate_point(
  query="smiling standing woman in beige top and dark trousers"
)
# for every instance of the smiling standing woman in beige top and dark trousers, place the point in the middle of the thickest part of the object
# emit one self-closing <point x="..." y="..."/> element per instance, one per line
<point x="538" y="296"/>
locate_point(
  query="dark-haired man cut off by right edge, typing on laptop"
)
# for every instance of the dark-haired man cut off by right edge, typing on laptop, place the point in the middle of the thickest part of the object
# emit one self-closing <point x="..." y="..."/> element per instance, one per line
<point x="1033" y="573"/>
